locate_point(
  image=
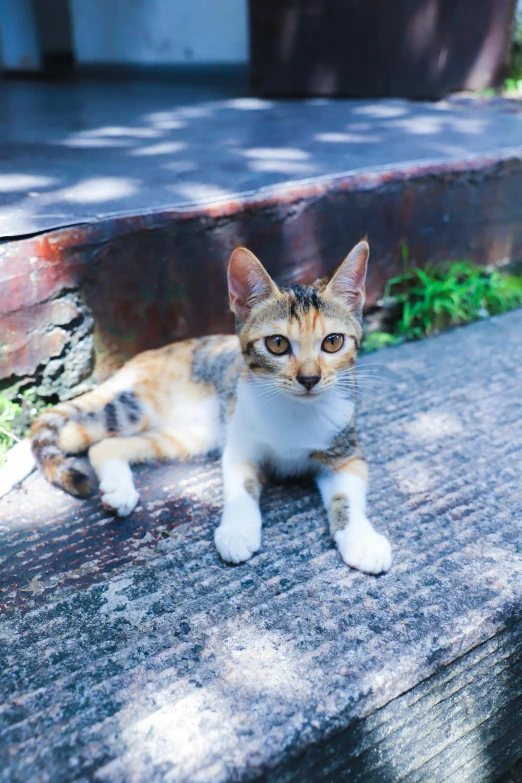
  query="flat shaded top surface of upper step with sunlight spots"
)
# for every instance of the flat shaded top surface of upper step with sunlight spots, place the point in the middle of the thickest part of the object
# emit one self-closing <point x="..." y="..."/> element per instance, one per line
<point x="70" y="152"/>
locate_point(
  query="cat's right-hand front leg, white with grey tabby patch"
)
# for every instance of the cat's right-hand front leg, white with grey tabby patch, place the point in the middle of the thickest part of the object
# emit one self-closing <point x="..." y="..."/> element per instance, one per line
<point x="344" y="496"/>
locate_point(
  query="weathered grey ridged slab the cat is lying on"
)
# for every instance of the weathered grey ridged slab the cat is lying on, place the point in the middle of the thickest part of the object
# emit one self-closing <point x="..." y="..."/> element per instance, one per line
<point x="130" y="653"/>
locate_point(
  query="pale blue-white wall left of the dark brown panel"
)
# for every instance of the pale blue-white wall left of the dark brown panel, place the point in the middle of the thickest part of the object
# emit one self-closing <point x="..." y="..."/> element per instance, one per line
<point x="160" y="32"/>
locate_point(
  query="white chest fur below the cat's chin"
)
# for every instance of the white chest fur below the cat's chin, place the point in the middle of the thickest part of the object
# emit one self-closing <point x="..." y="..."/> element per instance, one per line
<point x="282" y="430"/>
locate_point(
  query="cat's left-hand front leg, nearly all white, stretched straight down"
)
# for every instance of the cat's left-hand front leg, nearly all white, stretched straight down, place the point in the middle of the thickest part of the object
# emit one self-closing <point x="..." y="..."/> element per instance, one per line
<point x="239" y="534"/>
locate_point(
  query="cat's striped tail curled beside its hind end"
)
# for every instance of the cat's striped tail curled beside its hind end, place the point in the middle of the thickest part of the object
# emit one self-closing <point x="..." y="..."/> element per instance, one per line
<point x="58" y="467"/>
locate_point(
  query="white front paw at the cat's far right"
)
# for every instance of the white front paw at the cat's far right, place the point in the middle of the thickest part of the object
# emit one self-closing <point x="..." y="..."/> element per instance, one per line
<point x="365" y="549"/>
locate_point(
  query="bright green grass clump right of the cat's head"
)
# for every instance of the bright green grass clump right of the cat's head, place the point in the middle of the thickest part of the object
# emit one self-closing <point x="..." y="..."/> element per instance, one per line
<point x="443" y="295"/>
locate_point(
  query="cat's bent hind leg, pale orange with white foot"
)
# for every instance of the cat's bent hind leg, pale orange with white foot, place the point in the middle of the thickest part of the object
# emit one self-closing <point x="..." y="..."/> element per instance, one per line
<point x="111" y="459"/>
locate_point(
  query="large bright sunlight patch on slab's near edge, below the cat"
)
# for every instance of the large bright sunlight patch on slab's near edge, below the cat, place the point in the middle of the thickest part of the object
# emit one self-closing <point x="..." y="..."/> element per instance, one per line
<point x="196" y="729"/>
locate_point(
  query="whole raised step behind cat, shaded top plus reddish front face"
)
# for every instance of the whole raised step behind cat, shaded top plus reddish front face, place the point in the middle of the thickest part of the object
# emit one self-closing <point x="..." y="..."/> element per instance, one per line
<point x="121" y="203"/>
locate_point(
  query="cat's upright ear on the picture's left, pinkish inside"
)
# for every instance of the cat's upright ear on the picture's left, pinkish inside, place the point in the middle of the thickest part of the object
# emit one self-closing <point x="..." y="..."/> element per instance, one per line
<point x="248" y="282"/>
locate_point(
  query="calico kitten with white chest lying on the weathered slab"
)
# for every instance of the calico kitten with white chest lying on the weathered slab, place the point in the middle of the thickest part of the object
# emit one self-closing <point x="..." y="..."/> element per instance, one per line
<point x="277" y="398"/>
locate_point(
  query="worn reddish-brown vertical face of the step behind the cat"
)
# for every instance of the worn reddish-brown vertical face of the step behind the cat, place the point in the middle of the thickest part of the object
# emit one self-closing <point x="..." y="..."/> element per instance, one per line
<point x="160" y="275"/>
